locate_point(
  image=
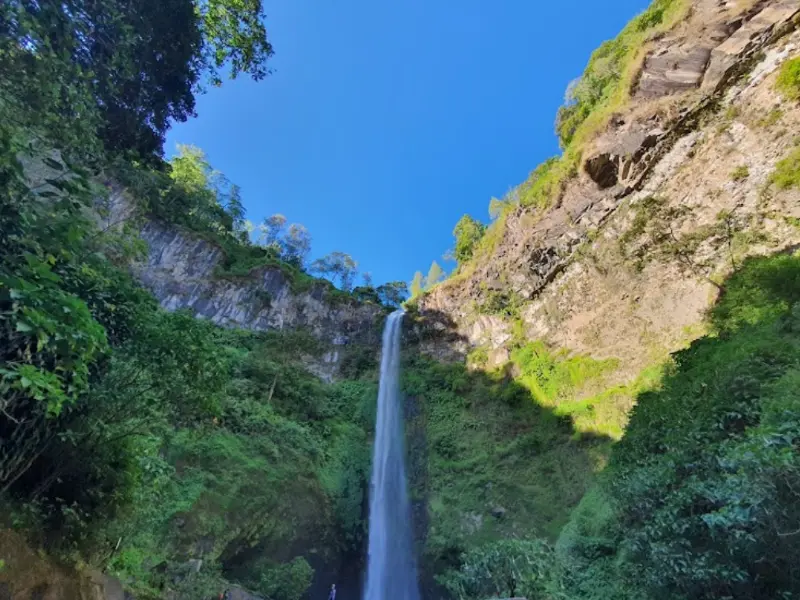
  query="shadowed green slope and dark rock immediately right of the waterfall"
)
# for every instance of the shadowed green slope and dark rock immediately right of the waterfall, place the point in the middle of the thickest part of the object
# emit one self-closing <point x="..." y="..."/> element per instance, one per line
<point x="486" y="462"/>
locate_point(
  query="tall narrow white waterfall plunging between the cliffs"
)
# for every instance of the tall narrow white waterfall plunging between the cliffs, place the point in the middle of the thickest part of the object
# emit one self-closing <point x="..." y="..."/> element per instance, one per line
<point x="391" y="569"/>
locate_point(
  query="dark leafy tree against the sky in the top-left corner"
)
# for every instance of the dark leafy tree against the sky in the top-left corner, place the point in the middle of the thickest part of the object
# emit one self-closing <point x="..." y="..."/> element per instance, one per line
<point x="125" y="70"/>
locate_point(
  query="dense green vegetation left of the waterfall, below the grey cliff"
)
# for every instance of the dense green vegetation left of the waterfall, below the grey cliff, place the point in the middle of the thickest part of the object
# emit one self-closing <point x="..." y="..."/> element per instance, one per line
<point x="156" y="431"/>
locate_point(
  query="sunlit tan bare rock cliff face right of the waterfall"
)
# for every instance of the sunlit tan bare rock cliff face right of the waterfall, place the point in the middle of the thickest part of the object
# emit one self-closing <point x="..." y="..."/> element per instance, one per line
<point x="673" y="195"/>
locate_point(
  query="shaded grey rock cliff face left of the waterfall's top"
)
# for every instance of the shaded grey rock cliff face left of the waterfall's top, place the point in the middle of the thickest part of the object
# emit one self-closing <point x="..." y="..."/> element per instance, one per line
<point x="181" y="270"/>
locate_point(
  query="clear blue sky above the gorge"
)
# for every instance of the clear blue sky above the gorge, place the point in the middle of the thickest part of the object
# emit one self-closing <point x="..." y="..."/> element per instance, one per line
<point x="384" y="122"/>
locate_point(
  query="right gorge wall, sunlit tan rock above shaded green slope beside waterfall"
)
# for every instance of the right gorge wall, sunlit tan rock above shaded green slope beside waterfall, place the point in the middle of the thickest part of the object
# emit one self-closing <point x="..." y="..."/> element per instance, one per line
<point x="578" y="302"/>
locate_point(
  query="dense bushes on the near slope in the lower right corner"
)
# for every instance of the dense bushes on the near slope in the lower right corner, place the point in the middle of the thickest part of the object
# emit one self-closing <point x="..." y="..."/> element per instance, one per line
<point x="700" y="498"/>
